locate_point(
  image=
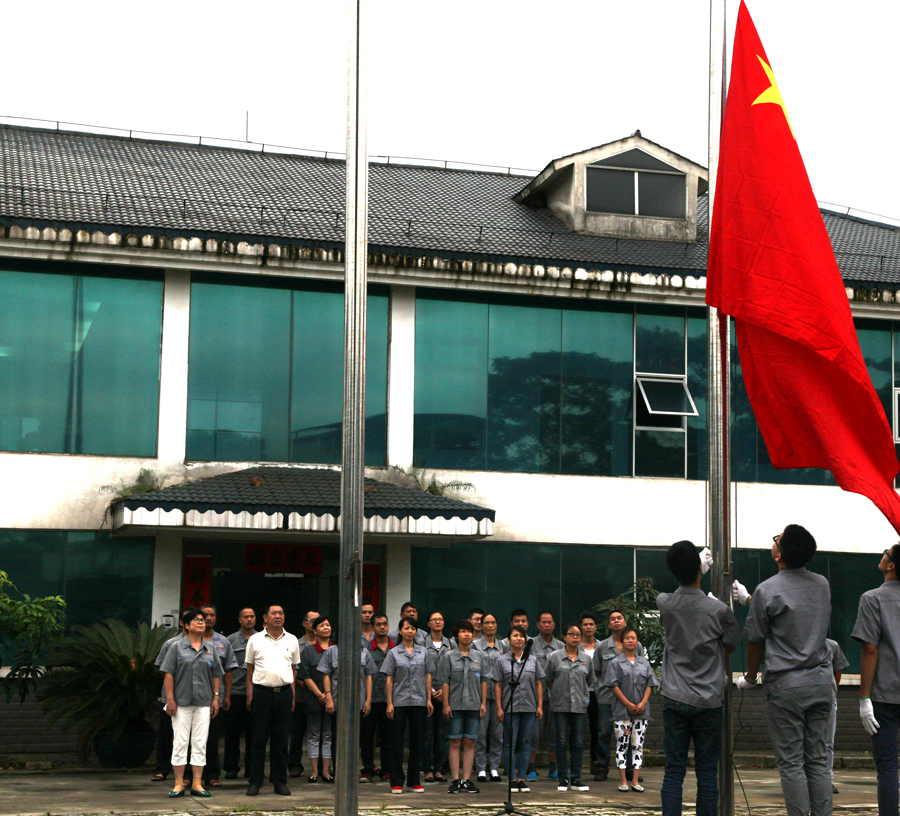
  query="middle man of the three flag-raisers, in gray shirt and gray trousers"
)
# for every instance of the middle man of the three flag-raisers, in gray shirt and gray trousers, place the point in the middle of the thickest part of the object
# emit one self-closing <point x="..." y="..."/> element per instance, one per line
<point x="788" y="621"/>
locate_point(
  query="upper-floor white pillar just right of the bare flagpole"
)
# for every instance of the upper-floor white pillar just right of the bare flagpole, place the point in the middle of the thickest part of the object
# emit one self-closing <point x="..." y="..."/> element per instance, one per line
<point x="401" y="378"/>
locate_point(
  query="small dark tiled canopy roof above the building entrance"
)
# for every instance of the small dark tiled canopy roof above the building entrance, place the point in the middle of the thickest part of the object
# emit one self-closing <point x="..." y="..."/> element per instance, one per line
<point x="299" y="490"/>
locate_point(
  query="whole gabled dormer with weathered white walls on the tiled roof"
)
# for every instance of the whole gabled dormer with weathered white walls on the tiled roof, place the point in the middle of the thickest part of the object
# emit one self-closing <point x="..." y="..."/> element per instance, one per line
<point x="630" y="188"/>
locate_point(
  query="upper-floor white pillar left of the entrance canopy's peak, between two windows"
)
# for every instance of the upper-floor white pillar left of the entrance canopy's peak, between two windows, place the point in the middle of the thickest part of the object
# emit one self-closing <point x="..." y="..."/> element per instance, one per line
<point x="173" y="371"/>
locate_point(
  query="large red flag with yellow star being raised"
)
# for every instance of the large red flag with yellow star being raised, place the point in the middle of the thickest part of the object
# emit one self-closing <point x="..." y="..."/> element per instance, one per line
<point x="771" y="267"/>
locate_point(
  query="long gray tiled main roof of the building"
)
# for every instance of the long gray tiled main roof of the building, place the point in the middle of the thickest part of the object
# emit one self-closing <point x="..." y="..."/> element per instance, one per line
<point x="114" y="183"/>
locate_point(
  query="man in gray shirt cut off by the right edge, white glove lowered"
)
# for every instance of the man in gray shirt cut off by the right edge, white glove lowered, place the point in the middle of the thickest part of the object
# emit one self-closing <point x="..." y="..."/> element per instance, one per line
<point x="878" y="630"/>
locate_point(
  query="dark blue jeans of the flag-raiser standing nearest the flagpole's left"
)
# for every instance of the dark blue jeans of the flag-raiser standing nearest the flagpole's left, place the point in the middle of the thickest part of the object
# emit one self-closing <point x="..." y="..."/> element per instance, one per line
<point x="683" y="723"/>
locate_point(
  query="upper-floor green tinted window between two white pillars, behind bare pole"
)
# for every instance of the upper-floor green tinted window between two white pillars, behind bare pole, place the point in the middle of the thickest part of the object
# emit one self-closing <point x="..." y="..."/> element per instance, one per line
<point x="265" y="376"/>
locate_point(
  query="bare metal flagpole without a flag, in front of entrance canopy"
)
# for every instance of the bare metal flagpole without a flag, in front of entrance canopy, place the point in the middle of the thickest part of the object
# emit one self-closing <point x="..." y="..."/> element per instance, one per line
<point x="346" y="799"/>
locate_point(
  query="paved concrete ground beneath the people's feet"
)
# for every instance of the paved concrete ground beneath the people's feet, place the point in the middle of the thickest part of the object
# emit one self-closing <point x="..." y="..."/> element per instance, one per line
<point x="122" y="792"/>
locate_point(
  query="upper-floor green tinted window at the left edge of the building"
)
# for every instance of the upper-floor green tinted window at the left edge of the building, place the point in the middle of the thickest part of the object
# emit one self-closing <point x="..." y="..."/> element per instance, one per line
<point x="79" y="364"/>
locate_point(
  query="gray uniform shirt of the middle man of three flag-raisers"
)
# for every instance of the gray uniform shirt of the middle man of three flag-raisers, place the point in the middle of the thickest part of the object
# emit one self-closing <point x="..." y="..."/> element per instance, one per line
<point x="790" y="613"/>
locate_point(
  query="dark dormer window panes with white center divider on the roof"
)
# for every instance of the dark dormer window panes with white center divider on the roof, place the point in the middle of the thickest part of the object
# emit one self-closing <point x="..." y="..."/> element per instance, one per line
<point x="635" y="183"/>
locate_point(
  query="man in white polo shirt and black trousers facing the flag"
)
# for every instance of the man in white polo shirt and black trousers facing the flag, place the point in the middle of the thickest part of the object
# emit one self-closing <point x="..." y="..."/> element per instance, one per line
<point x="270" y="659"/>
